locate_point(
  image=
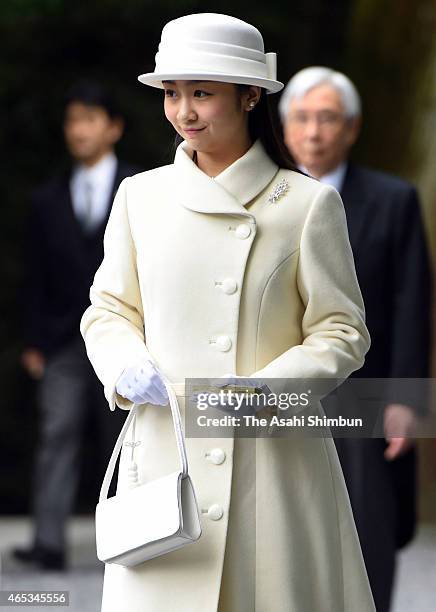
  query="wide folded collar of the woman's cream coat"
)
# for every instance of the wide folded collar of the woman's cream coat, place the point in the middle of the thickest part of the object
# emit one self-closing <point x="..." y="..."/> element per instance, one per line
<point x="231" y="189"/>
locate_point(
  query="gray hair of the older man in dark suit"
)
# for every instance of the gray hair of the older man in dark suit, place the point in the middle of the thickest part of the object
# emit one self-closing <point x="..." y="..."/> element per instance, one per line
<point x="308" y="78"/>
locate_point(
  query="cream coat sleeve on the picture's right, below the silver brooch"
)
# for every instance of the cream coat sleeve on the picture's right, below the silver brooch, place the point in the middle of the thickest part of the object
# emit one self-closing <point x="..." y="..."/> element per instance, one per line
<point x="335" y="337"/>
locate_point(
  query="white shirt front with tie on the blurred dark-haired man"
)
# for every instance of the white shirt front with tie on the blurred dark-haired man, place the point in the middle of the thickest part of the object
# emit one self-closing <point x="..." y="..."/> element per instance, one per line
<point x="92" y="187"/>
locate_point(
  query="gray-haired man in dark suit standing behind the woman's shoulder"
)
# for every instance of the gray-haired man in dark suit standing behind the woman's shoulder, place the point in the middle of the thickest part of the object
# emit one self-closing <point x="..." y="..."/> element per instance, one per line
<point x="320" y="111"/>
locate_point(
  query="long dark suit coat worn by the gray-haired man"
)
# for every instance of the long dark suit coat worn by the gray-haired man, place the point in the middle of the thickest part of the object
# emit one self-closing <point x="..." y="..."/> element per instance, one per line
<point x="393" y="268"/>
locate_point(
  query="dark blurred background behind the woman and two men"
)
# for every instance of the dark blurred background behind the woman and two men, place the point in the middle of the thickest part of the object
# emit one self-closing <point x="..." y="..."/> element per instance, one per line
<point x="48" y="44"/>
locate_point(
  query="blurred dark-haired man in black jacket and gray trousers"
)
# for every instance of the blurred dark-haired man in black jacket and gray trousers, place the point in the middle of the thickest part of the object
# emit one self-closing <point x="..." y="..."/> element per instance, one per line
<point x="64" y="249"/>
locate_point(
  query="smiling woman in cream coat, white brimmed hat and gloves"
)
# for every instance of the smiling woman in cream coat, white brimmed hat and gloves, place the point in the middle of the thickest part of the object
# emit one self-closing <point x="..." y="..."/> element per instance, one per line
<point x="206" y="273"/>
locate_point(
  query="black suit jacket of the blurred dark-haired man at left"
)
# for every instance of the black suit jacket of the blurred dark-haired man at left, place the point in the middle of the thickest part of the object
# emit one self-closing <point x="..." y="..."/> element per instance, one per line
<point x="61" y="261"/>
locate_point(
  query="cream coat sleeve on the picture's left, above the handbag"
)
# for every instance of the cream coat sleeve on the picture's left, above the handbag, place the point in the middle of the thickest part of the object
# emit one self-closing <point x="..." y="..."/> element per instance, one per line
<point x="113" y="325"/>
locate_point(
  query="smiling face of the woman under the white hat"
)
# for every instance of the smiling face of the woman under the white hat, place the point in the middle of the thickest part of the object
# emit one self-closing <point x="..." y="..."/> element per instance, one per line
<point x="211" y="116"/>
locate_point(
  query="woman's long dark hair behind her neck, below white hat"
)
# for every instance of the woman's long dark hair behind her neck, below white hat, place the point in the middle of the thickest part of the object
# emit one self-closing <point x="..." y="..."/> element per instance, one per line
<point x="263" y="125"/>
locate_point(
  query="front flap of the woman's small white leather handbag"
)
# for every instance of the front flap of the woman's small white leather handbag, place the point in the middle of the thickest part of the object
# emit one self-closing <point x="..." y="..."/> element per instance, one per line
<point x="138" y="516"/>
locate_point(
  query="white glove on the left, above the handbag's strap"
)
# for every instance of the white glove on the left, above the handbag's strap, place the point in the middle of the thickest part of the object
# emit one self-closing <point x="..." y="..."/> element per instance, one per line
<point x="142" y="384"/>
